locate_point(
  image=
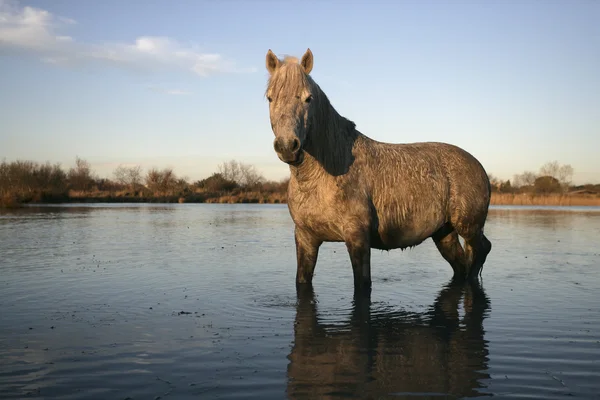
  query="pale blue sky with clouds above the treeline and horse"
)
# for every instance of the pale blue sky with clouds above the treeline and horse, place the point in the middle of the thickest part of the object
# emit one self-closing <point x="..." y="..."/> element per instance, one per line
<point x="181" y="84"/>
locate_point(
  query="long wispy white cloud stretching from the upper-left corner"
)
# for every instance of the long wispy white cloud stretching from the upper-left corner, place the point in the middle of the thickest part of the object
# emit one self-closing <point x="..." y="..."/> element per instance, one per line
<point x="40" y="33"/>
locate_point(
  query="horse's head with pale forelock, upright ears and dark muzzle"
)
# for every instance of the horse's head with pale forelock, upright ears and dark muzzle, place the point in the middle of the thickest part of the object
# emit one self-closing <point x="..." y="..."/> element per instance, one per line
<point x="291" y="94"/>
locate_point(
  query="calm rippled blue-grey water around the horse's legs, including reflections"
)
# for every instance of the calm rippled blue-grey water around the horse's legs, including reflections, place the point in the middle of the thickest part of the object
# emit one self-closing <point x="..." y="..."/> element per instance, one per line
<point x="199" y="301"/>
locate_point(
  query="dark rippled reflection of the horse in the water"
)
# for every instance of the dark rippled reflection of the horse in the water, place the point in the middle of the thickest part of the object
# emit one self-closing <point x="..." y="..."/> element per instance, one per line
<point x="392" y="353"/>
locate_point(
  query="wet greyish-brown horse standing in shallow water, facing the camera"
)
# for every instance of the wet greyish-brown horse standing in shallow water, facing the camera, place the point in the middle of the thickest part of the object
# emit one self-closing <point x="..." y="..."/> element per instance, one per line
<point x="347" y="187"/>
